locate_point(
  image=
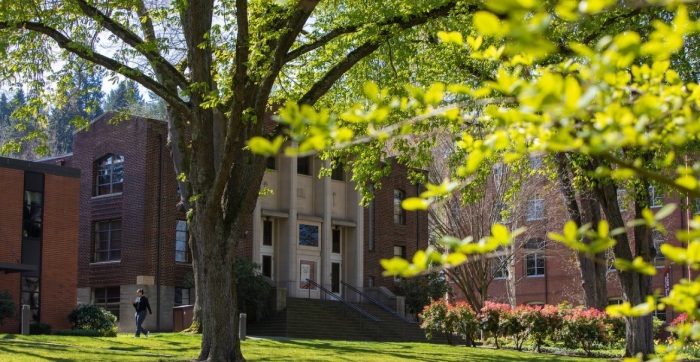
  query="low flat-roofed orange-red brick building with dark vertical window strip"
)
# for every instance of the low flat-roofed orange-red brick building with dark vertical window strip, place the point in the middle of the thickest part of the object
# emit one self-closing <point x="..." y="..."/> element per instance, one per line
<point x="39" y="240"/>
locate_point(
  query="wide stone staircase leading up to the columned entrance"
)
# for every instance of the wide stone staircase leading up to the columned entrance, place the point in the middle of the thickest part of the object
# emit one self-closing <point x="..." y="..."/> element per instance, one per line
<point x="326" y="319"/>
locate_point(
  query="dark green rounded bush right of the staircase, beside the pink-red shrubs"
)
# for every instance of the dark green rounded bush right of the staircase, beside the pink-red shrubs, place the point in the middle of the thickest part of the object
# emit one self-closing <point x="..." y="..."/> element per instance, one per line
<point x="421" y="291"/>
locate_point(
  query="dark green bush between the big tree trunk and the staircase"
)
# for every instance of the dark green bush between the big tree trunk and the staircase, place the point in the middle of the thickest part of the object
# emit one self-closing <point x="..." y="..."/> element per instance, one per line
<point x="253" y="289"/>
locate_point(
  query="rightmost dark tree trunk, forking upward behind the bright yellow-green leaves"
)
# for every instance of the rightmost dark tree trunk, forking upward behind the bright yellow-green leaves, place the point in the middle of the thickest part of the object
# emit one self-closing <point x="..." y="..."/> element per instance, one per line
<point x="639" y="338"/>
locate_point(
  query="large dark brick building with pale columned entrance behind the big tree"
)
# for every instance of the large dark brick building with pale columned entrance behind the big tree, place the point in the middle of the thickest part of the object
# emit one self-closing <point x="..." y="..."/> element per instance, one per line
<point x="132" y="236"/>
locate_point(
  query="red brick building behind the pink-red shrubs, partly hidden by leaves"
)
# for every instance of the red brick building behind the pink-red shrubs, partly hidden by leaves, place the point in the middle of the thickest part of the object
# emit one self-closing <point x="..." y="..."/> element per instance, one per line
<point x="546" y="272"/>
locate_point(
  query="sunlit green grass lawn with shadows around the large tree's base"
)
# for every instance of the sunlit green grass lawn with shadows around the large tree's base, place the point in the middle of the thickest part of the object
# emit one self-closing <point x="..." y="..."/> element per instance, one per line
<point x="180" y="347"/>
